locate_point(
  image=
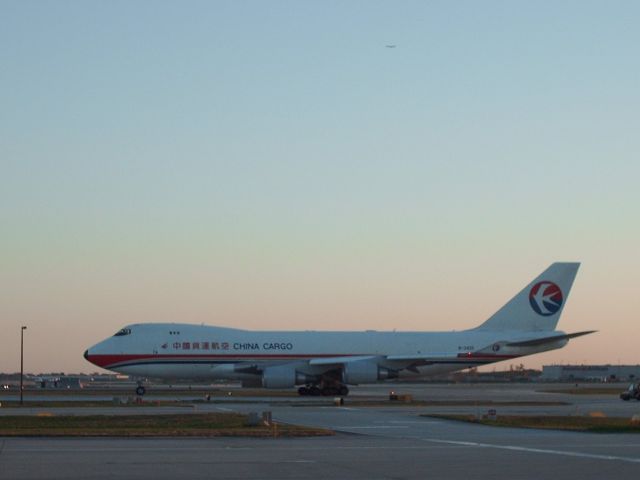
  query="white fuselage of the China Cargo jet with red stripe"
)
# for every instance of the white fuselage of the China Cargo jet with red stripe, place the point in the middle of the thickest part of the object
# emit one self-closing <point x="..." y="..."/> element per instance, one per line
<point x="207" y="352"/>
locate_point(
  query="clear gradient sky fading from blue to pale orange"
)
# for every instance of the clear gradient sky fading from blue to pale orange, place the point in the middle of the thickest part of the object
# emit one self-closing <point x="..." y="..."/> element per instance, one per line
<point x="272" y="165"/>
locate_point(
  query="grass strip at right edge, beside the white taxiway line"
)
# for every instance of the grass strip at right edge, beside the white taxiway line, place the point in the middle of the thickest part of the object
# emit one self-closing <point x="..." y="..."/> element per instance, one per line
<point x="551" y="422"/>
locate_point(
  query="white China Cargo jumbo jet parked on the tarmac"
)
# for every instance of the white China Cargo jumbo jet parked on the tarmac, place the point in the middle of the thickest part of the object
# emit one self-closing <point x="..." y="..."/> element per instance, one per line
<point x="326" y="362"/>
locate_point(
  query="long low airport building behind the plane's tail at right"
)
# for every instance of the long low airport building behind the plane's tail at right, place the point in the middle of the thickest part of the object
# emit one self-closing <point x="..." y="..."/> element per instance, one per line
<point x="602" y="373"/>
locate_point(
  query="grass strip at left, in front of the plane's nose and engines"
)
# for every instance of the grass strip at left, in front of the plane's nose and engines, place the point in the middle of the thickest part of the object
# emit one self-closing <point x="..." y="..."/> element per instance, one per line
<point x="197" y="425"/>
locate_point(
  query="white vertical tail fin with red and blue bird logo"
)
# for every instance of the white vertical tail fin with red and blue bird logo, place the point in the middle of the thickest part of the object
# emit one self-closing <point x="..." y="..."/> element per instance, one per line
<point x="539" y="305"/>
